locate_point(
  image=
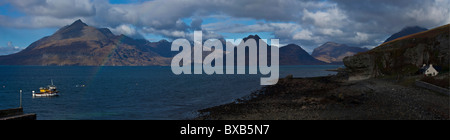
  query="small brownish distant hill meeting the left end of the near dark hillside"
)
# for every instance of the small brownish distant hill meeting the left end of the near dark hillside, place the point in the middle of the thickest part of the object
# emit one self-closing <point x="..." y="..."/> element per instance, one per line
<point x="332" y="52"/>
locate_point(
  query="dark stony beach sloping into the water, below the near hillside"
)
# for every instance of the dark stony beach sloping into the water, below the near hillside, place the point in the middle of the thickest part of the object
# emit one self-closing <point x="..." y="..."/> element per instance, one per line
<point x="329" y="98"/>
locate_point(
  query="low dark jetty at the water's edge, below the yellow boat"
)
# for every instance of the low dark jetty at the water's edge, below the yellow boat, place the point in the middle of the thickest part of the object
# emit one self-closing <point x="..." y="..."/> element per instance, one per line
<point x="16" y="114"/>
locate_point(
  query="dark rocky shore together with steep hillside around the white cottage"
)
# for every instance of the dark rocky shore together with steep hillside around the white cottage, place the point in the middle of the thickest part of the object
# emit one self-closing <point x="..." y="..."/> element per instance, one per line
<point x="377" y="84"/>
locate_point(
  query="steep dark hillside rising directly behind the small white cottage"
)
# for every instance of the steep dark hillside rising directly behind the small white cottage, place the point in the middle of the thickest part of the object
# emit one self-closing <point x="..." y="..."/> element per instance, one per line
<point x="403" y="56"/>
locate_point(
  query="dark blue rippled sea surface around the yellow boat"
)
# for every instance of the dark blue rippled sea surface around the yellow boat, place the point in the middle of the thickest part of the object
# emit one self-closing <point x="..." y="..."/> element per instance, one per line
<point x="131" y="93"/>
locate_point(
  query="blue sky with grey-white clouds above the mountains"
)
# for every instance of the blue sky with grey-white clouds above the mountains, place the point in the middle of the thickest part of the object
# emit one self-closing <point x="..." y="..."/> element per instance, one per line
<point x="308" y="23"/>
